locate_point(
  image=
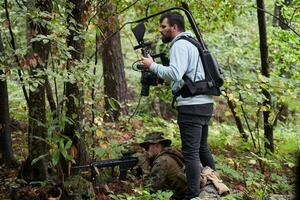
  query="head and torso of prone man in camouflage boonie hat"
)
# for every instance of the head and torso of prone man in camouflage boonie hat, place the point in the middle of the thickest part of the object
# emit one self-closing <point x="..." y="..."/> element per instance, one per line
<point x="166" y="165"/>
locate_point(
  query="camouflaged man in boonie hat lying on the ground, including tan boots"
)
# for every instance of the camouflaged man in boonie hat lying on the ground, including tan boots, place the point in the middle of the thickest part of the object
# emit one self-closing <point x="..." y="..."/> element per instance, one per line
<point x="164" y="169"/>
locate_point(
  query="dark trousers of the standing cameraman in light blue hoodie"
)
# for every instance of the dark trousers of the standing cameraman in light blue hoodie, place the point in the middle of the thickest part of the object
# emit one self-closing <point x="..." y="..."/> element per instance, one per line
<point x="194" y="133"/>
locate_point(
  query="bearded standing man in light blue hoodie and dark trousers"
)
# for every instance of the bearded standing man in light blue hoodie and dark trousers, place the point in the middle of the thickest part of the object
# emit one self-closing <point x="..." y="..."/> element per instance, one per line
<point x="194" y="112"/>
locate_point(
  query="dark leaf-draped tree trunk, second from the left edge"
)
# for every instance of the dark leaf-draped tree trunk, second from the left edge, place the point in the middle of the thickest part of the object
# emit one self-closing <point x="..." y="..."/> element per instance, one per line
<point x="38" y="58"/>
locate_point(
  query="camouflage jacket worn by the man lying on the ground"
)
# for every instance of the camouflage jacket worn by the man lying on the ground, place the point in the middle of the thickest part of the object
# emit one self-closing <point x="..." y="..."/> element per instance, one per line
<point x="167" y="172"/>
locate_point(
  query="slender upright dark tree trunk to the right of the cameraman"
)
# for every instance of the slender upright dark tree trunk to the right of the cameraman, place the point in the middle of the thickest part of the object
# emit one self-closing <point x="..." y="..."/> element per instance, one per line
<point x="268" y="128"/>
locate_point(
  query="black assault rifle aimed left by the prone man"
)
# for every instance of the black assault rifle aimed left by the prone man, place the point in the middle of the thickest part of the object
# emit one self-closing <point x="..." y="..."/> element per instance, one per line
<point x="126" y="162"/>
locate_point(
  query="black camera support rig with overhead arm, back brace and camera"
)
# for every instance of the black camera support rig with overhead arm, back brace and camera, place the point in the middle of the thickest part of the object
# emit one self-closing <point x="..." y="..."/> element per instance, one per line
<point x="211" y="84"/>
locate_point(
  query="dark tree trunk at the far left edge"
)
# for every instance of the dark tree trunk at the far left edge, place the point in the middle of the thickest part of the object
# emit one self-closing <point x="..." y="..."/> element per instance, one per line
<point x="6" y="151"/>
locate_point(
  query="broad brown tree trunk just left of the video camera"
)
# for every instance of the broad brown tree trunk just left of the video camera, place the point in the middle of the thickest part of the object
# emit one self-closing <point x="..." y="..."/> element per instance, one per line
<point x="115" y="87"/>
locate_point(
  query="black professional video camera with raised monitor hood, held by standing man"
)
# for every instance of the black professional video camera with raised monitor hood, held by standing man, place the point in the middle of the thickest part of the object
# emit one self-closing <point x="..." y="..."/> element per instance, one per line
<point x="148" y="78"/>
